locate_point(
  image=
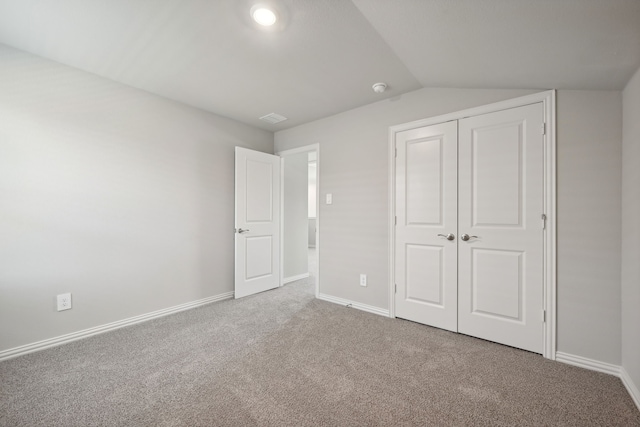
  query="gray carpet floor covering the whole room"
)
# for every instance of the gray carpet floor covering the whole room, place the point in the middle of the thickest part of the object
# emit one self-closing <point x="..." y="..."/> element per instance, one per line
<point x="283" y="358"/>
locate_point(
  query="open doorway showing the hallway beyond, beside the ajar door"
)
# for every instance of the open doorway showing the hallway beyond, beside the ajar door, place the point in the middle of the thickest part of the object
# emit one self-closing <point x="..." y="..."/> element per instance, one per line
<point x="300" y="219"/>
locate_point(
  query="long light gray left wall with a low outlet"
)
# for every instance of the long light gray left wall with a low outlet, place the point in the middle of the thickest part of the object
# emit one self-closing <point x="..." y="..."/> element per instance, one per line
<point x="121" y="197"/>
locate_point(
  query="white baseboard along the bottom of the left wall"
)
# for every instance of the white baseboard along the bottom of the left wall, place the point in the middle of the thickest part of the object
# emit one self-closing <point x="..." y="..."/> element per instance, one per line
<point x="74" y="336"/>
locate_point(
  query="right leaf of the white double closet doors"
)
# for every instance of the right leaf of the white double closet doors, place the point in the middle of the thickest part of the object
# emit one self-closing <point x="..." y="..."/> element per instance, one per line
<point x="500" y="201"/>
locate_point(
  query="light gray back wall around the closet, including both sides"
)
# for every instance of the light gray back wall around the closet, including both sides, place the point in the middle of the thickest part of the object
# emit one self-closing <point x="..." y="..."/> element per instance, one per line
<point x="355" y="227"/>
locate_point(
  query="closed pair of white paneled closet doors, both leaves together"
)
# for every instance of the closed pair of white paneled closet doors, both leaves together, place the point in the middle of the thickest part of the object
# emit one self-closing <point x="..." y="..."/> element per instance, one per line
<point x="469" y="232"/>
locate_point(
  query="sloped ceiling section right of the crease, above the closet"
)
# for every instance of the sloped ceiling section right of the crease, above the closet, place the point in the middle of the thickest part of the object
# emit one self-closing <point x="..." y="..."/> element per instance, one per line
<point x="534" y="44"/>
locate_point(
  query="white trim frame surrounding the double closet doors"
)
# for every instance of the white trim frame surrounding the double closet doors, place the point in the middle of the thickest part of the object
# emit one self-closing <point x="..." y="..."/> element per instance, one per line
<point x="548" y="100"/>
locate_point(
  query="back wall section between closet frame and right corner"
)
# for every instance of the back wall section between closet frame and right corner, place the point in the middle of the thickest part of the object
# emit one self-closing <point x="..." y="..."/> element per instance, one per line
<point x="589" y="233"/>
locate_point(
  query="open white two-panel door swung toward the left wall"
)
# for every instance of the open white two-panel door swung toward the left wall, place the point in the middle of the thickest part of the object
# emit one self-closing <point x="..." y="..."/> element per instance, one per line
<point x="257" y="222"/>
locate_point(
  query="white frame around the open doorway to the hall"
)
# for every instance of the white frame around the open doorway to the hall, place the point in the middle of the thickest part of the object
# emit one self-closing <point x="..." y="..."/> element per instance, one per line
<point x="283" y="154"/>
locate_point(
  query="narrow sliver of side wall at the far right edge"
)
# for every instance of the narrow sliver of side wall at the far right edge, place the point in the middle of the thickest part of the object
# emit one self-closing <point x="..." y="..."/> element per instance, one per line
<point x="631" y="230"/>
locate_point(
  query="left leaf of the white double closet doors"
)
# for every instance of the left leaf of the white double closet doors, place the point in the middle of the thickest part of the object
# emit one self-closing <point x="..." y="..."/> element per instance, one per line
<point x="426" y="209"/>
